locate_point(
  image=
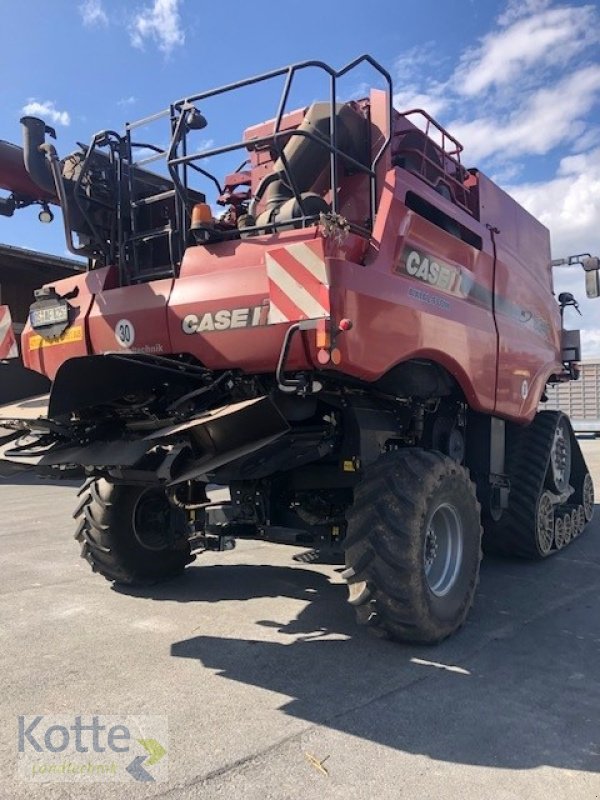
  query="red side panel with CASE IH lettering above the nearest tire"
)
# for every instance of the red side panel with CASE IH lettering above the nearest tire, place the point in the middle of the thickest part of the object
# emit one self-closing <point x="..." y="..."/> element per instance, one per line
<point x="395" y="314"/>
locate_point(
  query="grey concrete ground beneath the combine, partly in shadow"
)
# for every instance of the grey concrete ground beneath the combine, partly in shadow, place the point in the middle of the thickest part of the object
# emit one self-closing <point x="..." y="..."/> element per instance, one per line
<point x="258" y="665"/>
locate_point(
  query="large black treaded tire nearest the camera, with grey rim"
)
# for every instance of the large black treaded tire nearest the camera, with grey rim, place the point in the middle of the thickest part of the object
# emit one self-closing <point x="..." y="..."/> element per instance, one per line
<point x="404" y="498"/>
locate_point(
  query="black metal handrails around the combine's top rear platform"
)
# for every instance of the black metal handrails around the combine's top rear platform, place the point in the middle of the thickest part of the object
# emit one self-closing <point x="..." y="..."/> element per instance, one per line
<point x="179" y="160"/>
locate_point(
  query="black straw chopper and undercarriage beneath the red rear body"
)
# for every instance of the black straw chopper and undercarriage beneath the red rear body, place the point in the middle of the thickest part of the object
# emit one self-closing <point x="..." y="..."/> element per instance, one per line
<point x="290" y="459"/>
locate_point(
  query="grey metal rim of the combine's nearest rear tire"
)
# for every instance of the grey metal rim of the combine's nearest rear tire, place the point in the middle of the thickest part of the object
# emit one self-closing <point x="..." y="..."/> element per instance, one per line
<point x="443" y="549"/>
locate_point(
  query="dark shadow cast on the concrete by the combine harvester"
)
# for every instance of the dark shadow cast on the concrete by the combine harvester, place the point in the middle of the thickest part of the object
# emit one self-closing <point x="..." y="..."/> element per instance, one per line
<point x="517" y="688"/>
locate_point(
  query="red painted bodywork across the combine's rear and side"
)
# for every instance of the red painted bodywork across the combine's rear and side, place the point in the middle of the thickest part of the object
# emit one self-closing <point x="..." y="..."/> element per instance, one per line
<point x="417" y="291"/>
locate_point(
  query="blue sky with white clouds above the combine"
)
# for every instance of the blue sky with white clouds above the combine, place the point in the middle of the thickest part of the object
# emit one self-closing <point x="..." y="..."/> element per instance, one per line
<point x="518" y="82"/>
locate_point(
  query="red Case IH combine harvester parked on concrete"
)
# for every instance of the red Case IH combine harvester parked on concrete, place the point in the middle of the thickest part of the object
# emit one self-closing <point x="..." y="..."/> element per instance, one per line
<point x="357" y="347"/>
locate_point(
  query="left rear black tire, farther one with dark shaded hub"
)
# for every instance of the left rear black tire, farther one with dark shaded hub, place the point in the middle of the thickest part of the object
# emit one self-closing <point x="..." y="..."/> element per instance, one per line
<point x="131" y="534"/>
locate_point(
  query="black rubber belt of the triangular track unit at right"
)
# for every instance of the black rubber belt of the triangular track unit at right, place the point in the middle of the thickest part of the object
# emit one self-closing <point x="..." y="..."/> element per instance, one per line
<point x="527" y="462"/>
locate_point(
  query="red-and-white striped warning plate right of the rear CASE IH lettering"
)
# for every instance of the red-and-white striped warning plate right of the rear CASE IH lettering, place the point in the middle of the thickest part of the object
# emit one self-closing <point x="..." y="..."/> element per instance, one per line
<point x="298" y="283"/>
